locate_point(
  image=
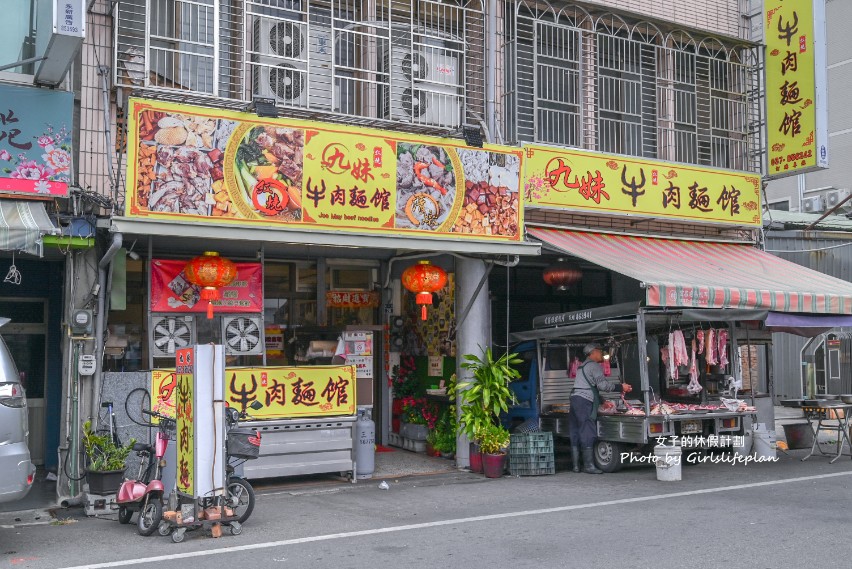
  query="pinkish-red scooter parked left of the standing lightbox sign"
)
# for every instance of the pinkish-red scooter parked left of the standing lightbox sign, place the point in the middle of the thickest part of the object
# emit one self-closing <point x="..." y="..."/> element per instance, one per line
<point x="145" y="493"/>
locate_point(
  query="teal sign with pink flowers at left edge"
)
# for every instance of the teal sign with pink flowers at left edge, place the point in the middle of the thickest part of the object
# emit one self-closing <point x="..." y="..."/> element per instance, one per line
<point x="35" y="140"/>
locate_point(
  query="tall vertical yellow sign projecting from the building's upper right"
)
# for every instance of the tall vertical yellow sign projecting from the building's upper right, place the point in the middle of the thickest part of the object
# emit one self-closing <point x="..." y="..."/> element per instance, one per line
<point x="796" y="108"/>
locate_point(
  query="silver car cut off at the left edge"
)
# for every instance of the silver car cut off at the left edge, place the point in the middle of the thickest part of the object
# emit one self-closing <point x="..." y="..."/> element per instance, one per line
<point x="16" y="470"/>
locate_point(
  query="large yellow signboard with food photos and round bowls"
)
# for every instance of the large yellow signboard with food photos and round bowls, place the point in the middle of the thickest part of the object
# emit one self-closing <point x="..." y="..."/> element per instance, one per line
<point x="189" y="163"/>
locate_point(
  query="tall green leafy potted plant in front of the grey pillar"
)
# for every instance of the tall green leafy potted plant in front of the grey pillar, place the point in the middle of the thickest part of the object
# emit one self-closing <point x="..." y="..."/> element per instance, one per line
<point x="487" y="394"/>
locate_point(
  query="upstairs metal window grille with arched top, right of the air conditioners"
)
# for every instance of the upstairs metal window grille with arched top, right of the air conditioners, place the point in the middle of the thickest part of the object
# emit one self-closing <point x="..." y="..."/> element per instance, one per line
<point x="603" y="83"/>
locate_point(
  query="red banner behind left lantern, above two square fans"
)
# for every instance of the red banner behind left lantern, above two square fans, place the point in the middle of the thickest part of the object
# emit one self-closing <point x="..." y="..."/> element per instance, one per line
<point x="171" y="291"/>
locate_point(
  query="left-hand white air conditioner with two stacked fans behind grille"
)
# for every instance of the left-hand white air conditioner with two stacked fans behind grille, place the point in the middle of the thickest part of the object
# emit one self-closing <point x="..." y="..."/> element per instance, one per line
<point x="291" y="62"/>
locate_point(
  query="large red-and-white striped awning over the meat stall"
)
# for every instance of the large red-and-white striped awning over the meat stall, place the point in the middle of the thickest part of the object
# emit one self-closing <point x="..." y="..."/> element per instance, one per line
<point x="678" y="273"/>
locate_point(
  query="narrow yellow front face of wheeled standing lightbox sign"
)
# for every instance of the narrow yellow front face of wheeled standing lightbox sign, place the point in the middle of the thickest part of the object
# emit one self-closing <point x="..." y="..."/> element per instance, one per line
<point x="185" y="380"/>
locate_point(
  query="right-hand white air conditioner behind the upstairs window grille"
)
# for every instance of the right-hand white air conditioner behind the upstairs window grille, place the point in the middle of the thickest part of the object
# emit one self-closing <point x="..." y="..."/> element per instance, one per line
<point x="426" y="84"/>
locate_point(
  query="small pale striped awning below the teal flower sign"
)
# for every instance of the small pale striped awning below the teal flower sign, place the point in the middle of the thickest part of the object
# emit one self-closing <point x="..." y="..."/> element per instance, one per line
<point x="22" y="225"/>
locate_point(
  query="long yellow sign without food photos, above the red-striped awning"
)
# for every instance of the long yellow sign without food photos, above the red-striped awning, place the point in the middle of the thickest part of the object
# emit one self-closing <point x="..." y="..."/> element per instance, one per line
<point x="569" y="179"/>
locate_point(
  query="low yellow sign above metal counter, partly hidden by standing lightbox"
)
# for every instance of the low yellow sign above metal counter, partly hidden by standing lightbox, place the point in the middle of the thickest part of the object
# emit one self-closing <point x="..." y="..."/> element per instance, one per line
<point x="283" y="392"/>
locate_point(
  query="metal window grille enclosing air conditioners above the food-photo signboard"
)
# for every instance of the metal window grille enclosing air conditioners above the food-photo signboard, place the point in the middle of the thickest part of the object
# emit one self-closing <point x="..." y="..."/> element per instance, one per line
<point x="417" y="62"/>
